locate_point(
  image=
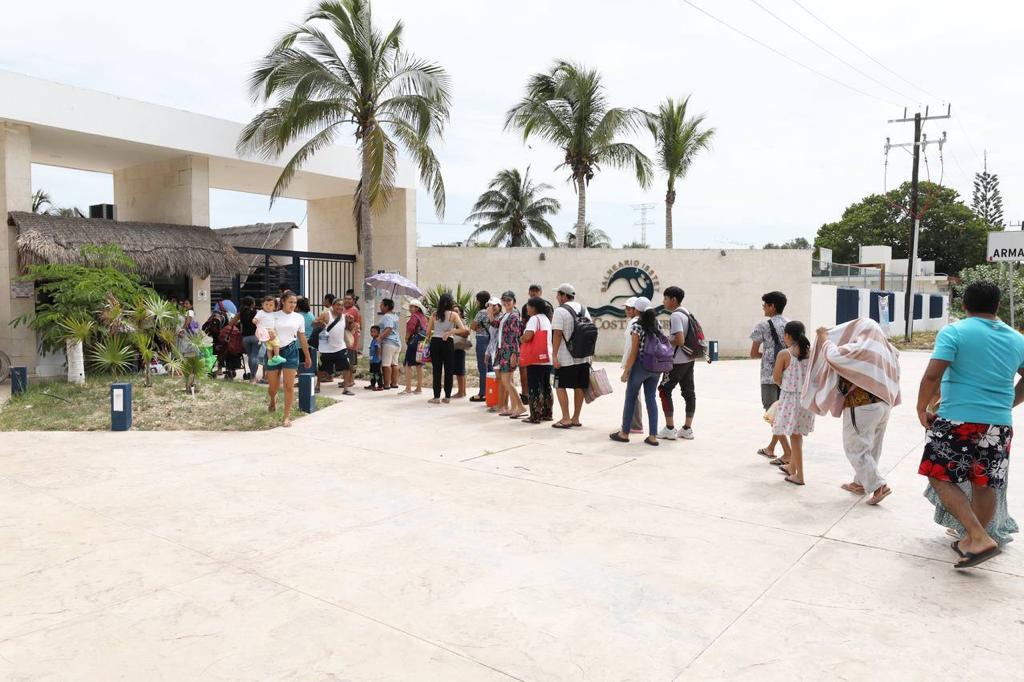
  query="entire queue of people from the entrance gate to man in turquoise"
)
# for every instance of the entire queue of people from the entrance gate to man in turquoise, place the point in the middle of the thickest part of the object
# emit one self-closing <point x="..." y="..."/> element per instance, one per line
<point x="852" y="371"/>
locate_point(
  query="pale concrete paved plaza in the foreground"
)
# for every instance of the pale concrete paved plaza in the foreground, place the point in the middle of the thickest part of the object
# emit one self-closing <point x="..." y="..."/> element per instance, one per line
<point x="389" y="539"/>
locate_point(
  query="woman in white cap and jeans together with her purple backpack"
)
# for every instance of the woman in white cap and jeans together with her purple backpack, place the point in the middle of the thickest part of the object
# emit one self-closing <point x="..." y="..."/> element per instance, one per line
<point x="651" y="356"/>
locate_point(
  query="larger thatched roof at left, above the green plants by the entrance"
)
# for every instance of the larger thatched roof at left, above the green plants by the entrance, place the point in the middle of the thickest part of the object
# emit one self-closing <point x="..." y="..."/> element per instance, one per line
<point x="158" y="249"/>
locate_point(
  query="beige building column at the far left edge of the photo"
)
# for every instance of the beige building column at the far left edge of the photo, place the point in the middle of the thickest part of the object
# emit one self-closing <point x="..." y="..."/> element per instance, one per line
<point x="16" y="195"/>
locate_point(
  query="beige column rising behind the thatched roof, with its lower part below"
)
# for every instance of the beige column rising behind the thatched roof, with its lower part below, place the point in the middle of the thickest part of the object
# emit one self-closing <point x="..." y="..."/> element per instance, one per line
<point x="176" y="191"/>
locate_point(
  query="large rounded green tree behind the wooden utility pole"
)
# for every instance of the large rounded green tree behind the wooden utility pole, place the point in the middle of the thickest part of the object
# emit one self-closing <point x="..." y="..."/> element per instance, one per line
<point x="951" y="234"/>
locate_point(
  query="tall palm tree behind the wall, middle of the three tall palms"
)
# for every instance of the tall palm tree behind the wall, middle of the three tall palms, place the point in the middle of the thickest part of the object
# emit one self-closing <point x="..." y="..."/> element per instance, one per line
<point x="567" y="107"/>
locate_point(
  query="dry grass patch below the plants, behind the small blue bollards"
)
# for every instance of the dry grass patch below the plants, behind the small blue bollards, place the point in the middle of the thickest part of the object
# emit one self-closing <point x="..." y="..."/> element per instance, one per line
<point x="219" y="406"/>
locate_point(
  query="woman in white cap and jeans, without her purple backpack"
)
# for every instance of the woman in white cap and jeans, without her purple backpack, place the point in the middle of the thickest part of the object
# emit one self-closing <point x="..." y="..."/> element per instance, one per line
<point x="645" y="330"/>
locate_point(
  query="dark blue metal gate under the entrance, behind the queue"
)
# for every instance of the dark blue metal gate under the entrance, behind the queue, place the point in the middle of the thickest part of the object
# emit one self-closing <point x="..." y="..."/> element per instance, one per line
<point x="309" y="274"/>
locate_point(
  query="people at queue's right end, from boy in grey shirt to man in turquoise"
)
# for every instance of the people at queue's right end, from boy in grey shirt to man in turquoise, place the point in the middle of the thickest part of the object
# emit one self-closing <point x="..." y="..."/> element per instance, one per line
<point x="965" y="405"/>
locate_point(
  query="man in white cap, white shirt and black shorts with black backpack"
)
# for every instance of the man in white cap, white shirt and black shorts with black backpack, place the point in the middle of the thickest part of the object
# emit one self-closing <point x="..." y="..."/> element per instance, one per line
<point x="572" y="371"/>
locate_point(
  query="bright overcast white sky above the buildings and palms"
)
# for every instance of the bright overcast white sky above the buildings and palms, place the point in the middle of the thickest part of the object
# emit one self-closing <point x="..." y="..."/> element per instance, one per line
<point x="793" y="149"/>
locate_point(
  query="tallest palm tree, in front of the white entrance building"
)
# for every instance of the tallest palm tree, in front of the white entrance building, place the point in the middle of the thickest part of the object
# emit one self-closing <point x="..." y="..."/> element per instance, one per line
<point x="373" y="88"/>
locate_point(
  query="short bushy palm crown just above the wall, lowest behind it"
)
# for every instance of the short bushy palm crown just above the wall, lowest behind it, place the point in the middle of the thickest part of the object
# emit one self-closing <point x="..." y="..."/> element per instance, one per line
<point x="515" y="211"/>
